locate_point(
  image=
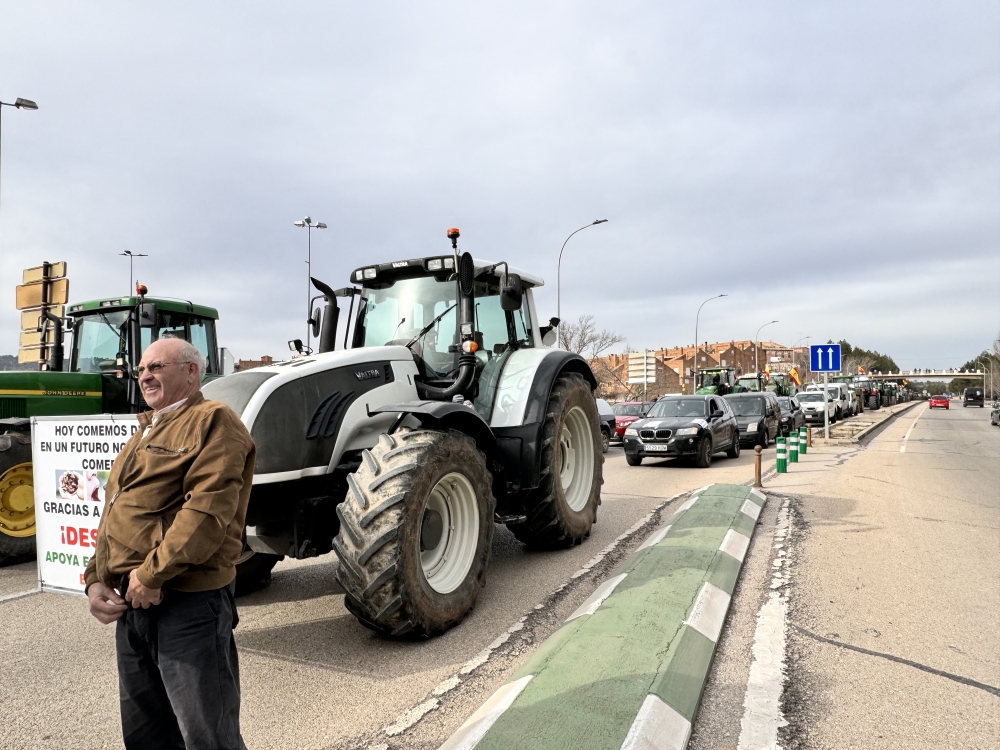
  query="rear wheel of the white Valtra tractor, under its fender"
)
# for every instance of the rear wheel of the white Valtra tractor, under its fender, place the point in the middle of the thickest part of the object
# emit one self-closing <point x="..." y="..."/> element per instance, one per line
<point x="561" y="511"/>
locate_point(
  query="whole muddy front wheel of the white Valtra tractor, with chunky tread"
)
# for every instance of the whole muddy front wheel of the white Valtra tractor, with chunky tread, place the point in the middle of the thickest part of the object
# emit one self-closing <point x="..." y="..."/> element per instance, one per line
<point x="415" y="533"/>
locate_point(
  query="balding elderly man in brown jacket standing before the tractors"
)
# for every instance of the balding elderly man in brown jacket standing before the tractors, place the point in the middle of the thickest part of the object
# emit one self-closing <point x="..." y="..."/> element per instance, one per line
<point x="169" y="541"/>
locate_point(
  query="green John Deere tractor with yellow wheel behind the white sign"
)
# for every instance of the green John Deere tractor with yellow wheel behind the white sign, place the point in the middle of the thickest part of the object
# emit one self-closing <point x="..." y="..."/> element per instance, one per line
<point x="109" y="336"/>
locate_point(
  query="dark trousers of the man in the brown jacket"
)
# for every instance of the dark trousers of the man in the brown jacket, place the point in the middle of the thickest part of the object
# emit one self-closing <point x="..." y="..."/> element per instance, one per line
<point x="178" y="673"/>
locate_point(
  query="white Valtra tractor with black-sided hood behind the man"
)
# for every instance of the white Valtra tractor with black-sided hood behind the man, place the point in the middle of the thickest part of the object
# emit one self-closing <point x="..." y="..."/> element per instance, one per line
<point x="449" y="413"/>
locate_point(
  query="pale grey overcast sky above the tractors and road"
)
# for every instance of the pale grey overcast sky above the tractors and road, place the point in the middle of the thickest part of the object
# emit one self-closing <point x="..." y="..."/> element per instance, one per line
<point x="835" y="166"/>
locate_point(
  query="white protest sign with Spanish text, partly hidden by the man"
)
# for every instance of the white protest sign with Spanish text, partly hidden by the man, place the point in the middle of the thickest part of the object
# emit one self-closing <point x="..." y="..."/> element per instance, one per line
<point x="71" y="460"/>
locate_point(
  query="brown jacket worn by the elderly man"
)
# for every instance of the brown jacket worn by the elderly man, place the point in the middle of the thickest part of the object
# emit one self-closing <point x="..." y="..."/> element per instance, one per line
<point x="177" y="501"/>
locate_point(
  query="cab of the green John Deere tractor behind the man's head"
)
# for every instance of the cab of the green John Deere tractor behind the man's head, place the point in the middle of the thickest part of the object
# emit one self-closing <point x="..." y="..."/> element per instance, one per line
<point x="110" y="335"/>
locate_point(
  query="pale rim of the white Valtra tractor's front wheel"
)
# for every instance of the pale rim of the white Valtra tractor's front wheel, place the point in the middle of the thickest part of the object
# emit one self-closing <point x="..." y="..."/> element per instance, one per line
<point x="449" y="533"/>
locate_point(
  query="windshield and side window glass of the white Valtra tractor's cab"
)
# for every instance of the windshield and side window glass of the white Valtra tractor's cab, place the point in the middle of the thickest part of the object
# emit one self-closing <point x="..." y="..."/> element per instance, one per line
<point x="422" y="313"/>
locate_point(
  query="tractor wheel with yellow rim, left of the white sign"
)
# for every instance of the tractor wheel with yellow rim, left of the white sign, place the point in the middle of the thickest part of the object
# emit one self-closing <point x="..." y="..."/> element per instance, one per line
<point x="17" y="499"/>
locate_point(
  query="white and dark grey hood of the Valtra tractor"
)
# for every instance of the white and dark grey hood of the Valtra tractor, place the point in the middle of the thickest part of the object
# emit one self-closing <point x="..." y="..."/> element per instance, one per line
<point x="304" y="414"/>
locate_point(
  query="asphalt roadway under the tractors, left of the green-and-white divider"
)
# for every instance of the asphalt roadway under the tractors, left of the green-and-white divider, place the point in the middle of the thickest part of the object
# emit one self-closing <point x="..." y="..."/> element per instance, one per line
<point x="312" y="677"/>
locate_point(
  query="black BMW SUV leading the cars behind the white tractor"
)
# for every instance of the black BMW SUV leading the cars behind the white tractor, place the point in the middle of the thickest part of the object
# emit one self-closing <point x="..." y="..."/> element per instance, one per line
<point x="695" y="426"/>
